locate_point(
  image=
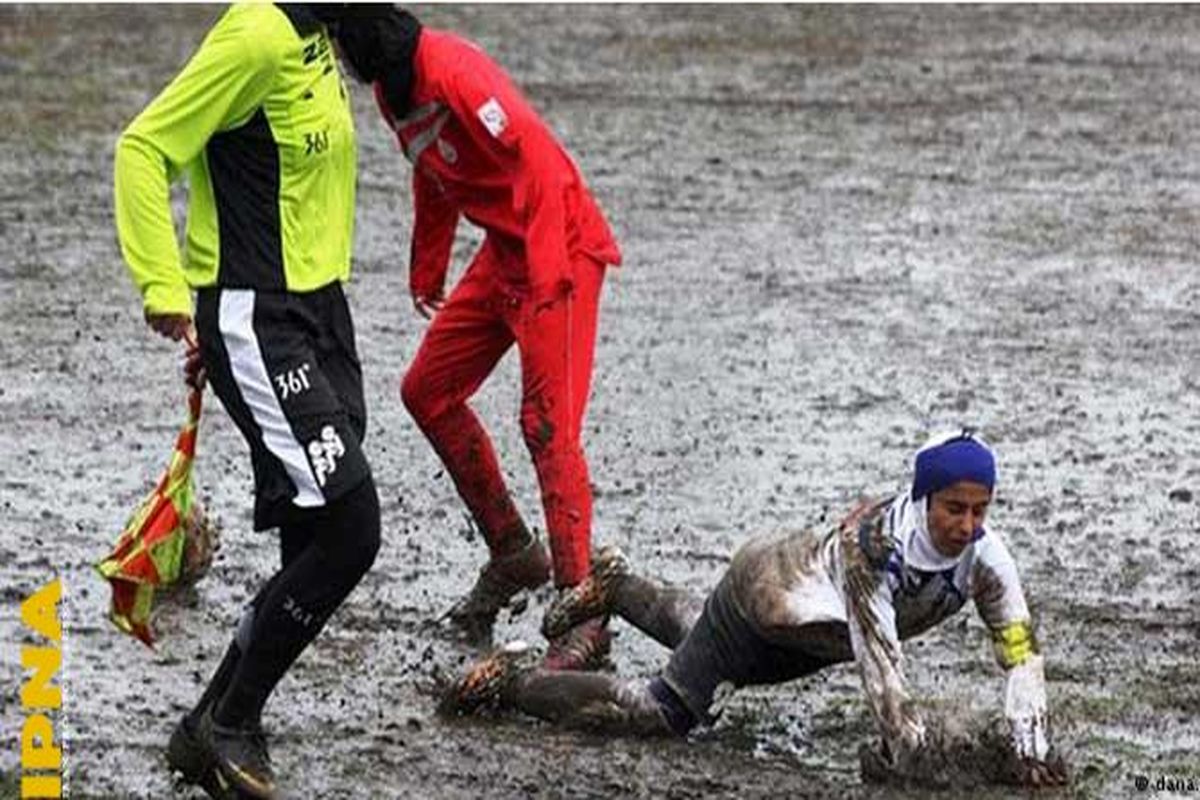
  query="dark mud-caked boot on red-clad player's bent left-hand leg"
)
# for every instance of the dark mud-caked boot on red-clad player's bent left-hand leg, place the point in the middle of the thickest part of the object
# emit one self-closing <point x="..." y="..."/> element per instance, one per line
<point x="499" y="582"/>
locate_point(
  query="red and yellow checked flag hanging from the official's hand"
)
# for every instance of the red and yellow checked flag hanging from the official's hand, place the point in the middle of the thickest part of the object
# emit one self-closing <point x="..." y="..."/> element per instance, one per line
<point x="167" y="539"/>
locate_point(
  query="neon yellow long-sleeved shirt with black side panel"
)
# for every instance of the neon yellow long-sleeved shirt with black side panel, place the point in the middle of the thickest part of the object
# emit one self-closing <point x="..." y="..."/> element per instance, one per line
<point x="260" y="121"/>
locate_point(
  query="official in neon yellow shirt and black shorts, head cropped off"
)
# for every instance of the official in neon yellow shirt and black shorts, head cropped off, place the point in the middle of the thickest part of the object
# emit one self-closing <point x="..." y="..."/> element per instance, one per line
<point x="260" y="123"/>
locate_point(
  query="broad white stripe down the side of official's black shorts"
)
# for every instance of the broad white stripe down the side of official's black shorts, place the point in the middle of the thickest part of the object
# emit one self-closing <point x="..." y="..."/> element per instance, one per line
<point x="236" y="321"/>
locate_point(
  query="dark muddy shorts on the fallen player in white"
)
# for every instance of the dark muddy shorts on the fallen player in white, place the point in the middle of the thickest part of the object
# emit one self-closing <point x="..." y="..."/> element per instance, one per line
<point x="724" y="648"/>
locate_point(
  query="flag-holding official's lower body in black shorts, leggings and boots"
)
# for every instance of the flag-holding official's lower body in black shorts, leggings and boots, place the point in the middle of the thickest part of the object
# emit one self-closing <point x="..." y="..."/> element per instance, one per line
<point x="265" y="362"/>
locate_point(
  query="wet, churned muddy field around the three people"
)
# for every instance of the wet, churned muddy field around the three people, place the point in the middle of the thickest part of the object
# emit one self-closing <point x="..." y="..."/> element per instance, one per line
<point x="843" y="227"/>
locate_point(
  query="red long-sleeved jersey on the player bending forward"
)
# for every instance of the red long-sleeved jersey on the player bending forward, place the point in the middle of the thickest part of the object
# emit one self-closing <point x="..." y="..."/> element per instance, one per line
<point x="481" y="151"/>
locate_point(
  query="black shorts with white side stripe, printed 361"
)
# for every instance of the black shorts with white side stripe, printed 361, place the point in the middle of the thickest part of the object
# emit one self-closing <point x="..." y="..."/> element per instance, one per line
<point x="287" y="372"/>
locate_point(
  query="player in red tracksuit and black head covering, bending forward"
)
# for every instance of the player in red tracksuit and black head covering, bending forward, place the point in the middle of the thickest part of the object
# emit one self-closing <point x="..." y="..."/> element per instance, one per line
<point x="481" y="152"/>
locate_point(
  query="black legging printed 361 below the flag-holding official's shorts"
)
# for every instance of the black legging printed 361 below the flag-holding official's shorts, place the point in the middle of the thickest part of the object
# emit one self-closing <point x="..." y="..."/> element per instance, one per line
<point x="302" y="598"/>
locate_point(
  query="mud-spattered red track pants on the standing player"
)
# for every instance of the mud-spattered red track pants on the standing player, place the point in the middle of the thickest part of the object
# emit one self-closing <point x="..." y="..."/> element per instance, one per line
<point x="556" y="340"/>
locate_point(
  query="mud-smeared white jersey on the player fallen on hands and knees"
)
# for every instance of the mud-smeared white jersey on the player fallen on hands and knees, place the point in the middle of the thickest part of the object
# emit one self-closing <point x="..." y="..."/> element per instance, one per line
<point x="856" y="592"/>
